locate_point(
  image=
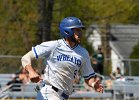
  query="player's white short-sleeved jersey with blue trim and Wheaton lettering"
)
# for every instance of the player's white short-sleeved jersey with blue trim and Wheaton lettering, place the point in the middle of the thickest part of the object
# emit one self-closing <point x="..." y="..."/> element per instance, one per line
<point x="63" y="63"/>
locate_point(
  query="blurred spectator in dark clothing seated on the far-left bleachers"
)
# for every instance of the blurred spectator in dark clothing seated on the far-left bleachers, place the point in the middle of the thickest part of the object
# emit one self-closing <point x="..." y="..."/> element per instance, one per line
<point x="15" y="82"/>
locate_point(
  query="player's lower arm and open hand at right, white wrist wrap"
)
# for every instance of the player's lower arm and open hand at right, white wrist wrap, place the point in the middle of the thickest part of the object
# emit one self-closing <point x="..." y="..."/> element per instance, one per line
<point x="96" y="84"/>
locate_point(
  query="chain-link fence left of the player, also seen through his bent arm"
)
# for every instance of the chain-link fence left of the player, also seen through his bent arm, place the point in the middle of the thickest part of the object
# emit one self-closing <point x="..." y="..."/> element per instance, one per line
<point x="12" y="64"/>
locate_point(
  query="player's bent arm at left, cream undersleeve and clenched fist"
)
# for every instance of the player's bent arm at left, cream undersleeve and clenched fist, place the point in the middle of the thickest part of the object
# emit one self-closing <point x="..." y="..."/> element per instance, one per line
<point x="26" y="63"/>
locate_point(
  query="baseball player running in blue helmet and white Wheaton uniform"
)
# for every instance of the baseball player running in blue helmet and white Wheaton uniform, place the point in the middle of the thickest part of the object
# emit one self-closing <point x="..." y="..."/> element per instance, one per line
<point x="64" y="57"/>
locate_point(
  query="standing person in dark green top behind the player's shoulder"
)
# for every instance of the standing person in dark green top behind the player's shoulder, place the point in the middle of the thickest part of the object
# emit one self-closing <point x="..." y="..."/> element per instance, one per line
<point x="99" y="57"/>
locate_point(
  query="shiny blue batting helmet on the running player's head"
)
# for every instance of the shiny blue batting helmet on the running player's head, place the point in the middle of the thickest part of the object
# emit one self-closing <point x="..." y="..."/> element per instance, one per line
<point x="67" y="24"/>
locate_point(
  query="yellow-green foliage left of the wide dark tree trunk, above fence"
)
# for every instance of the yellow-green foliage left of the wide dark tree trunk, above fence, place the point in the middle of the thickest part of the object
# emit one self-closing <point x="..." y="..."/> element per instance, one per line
<point x="18" y="26"/>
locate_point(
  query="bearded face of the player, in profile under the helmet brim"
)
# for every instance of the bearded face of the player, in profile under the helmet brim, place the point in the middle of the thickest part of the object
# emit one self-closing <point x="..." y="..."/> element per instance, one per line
<point x="77" y="34"/>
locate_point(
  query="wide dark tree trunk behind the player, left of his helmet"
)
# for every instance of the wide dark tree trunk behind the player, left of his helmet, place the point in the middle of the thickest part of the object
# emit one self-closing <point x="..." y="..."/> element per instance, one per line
<point x="46" y="10"/>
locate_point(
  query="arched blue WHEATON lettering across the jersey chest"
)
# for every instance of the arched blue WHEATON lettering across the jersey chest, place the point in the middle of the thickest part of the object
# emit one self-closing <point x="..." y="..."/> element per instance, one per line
<point x="69" y="58"/>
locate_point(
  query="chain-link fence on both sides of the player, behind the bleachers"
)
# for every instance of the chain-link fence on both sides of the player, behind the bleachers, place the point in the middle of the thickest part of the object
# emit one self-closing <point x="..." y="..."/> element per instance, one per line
<point x="12" y="64"/>
